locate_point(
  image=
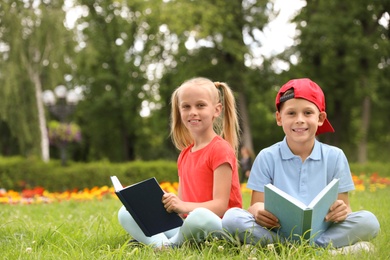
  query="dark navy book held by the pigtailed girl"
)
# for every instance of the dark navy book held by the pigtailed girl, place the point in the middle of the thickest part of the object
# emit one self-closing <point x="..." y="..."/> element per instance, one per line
<point x="143" y="201"/>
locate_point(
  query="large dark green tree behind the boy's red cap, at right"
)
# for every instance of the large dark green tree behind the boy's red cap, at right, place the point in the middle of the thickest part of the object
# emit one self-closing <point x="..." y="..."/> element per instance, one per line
<point x="347" y="56"/>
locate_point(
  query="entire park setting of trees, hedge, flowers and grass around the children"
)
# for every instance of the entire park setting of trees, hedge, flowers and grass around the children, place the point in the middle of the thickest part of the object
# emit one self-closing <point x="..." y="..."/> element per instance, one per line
<point x="122" y="60"/>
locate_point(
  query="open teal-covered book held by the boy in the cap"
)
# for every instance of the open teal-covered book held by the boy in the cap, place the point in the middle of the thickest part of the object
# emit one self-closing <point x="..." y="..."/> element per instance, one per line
<point x="296" y="219"/>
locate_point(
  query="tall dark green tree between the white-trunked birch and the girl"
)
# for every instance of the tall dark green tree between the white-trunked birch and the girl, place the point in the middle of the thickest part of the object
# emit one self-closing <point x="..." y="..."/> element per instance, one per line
<point x="113" y="66"/>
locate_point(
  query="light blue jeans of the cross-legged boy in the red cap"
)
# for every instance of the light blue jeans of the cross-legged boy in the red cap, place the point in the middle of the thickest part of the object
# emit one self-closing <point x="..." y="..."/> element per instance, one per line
<point x="359" y="226"/>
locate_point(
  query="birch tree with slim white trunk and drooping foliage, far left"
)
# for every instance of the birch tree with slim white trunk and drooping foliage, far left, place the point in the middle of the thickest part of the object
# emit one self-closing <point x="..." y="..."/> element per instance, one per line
<point x="35" y="46"/>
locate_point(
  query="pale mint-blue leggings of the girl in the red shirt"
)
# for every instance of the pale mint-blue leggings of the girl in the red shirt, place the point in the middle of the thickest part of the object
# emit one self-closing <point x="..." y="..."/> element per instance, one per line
<point x="198" y="224"/>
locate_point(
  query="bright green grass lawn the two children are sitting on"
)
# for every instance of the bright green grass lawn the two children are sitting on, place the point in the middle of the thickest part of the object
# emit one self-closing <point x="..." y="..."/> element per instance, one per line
<point x="90" y="230"/>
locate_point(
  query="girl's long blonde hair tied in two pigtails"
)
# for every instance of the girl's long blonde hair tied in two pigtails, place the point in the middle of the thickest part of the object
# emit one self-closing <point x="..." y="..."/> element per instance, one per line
<point x="226" y="125"/>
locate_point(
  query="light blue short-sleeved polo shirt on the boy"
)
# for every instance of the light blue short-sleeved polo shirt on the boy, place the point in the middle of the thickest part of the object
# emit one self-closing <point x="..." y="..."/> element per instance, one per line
<point x="303" y="180"/>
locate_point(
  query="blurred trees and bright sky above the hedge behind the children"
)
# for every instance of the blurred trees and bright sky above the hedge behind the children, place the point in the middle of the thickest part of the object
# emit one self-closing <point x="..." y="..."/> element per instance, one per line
<point x="90" y="80"/>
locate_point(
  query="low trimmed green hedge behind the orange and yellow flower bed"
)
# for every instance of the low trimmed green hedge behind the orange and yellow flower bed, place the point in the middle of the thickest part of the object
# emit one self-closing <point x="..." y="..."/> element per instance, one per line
<point x="17" y="173"/>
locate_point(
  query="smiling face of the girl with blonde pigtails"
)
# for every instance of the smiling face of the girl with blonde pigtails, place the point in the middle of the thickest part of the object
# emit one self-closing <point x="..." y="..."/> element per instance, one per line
<point x="198" y="108"/>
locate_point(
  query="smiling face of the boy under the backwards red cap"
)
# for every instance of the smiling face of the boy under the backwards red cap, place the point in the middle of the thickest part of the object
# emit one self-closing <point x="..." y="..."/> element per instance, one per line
<point x="300" y="119"/>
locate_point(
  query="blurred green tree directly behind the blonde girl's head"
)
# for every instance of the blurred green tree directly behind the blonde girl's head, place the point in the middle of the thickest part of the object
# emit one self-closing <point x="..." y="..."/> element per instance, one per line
<point x="214" y="39"/>
